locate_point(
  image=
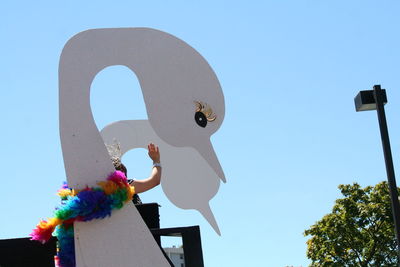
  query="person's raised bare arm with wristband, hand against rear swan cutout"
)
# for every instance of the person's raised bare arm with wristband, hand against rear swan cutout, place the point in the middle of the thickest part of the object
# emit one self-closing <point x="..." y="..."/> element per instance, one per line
<point x="155" y="176"/>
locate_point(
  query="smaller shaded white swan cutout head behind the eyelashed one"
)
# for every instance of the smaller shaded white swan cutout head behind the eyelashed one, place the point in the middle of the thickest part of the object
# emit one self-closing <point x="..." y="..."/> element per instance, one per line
<point x="188" y="180"/>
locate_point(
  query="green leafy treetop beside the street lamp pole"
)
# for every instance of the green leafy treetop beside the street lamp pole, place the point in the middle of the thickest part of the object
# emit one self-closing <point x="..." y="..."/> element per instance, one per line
<point x="358" y="232"/>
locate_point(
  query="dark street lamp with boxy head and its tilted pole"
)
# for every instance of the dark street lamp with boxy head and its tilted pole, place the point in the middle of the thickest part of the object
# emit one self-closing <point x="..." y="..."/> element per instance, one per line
<point x="375" y="99"/>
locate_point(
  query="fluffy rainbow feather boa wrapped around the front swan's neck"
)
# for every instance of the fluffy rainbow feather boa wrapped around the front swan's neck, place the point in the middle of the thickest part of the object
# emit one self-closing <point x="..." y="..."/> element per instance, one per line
<point x="83" y="205"/>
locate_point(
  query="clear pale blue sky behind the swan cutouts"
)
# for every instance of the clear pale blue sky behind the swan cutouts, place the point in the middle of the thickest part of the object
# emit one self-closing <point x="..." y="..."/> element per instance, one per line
<point x="289" y="71"/>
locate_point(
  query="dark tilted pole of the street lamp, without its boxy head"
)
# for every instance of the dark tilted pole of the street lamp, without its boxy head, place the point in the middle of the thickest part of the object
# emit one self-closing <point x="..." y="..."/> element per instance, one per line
<point x="388" y="161"/>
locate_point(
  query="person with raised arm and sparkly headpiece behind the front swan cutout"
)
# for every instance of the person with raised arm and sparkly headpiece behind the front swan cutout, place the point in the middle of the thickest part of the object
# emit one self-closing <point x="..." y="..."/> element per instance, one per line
<point x="140" y="185"/>
